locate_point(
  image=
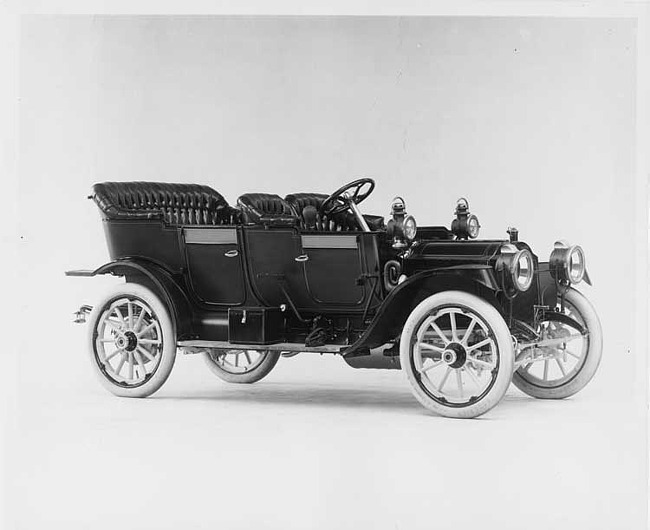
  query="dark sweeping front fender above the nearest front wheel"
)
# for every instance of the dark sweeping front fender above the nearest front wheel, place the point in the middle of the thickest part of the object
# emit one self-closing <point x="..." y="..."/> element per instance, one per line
<point x="392" y="314"/>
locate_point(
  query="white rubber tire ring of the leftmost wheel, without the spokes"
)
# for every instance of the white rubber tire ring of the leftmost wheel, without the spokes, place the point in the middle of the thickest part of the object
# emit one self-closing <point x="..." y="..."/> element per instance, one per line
<point x="168" y="338"/>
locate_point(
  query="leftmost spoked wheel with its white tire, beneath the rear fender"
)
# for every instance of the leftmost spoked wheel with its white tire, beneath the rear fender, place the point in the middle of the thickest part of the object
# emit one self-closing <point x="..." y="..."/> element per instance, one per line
<point x="132" y="341"/>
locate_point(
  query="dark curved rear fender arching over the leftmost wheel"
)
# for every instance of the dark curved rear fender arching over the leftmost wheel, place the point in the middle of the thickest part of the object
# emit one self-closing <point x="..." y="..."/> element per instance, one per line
<point x="161" y="282"/>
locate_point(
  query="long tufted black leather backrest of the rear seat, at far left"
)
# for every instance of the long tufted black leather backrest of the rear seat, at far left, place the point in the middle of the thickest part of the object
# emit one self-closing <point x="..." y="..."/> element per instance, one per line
<point x="178" y="204"/>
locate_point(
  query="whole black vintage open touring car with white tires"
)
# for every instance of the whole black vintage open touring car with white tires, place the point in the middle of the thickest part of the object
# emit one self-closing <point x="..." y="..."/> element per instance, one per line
<point x="244" y="285"/>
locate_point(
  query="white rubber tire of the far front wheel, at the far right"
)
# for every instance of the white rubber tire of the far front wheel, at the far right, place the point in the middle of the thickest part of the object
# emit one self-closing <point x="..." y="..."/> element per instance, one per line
<point x="592" y="360"/>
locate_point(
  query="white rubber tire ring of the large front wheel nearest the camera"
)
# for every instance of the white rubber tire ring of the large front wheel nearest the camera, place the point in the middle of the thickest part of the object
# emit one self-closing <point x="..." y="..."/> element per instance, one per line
<point x="503" y="341"/>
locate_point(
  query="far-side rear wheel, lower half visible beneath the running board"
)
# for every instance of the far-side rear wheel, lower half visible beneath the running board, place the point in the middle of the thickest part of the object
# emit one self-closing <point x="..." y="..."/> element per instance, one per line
<point x="241" y="366"/>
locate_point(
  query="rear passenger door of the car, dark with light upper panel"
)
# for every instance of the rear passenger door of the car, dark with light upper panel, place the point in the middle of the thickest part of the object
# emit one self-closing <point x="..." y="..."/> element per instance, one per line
<point x="214" y="264"/>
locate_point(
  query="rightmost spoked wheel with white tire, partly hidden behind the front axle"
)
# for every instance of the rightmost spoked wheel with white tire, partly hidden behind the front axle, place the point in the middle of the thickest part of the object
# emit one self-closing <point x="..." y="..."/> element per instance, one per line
<point x="561" y="371"/>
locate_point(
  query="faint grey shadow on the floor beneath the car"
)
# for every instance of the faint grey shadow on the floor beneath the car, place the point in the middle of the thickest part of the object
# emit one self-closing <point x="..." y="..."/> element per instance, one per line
<point x="378" y="398"/>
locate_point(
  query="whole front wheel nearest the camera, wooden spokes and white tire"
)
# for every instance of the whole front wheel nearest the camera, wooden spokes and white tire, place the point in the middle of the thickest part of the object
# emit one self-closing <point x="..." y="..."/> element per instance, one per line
<point x="457" y="353"/>
